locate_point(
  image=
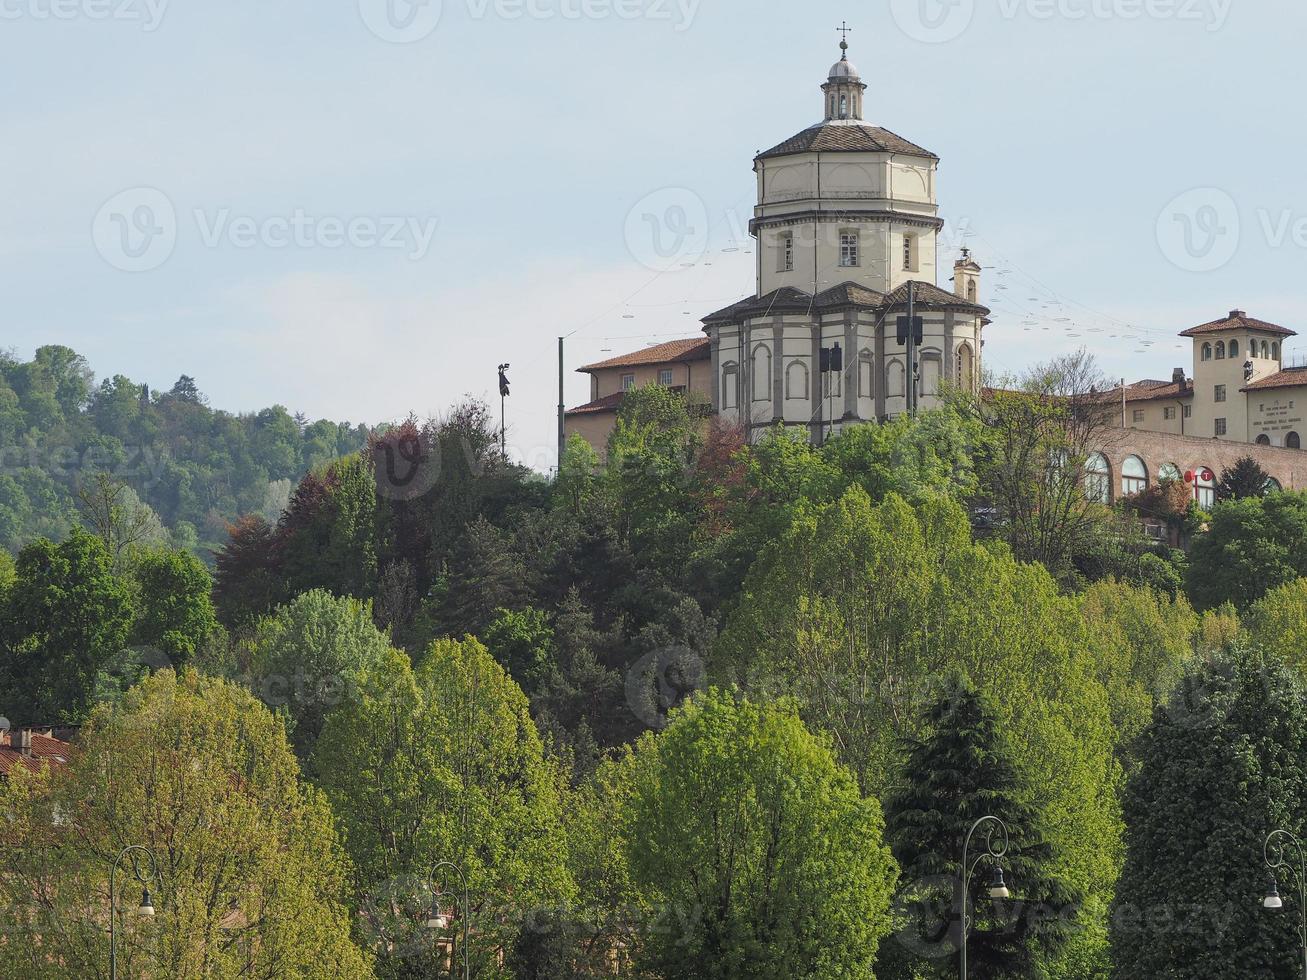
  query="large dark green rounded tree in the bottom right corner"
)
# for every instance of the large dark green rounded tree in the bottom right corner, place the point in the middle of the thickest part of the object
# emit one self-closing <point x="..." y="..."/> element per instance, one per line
<point x="1221" y="766"/>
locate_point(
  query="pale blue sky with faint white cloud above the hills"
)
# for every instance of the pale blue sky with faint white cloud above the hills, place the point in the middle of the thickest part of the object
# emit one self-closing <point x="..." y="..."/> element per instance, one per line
<point x="359" y="208"/>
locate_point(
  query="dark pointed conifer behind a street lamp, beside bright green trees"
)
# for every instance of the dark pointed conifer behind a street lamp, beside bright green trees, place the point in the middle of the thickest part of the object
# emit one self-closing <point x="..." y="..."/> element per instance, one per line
<point x="957" y="774"/>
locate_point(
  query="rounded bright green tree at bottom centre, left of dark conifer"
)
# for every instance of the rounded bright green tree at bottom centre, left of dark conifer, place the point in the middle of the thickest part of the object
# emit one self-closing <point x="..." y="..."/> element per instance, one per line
<point x="759" y="845"/>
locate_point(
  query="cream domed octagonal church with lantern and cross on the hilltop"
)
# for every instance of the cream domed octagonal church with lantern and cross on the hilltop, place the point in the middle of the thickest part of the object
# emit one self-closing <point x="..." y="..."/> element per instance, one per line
<point x="848" y="227"/>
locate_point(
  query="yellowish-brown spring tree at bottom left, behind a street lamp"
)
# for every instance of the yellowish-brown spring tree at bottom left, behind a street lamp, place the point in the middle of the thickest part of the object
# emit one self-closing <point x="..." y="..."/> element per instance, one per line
<point x="201" y="776"/>
